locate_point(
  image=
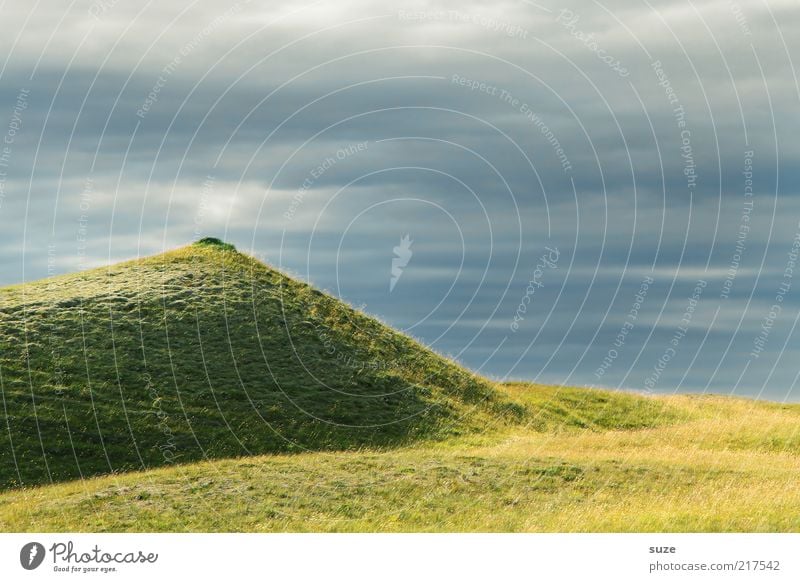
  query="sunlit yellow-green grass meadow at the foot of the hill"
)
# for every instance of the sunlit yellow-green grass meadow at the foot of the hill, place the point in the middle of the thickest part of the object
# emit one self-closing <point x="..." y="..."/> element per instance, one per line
<point x="715" y="464"/>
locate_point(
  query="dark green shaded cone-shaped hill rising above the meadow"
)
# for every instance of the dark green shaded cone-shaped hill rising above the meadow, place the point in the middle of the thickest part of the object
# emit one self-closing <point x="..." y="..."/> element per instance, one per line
<point x="204" y="352"/>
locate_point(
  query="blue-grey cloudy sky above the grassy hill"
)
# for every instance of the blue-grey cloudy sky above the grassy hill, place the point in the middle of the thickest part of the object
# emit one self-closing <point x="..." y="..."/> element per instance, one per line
<point x="593" y="193"/>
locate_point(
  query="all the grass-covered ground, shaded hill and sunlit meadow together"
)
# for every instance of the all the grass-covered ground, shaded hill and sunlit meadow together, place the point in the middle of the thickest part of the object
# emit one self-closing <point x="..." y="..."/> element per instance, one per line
<point x="184" y="392"/>
